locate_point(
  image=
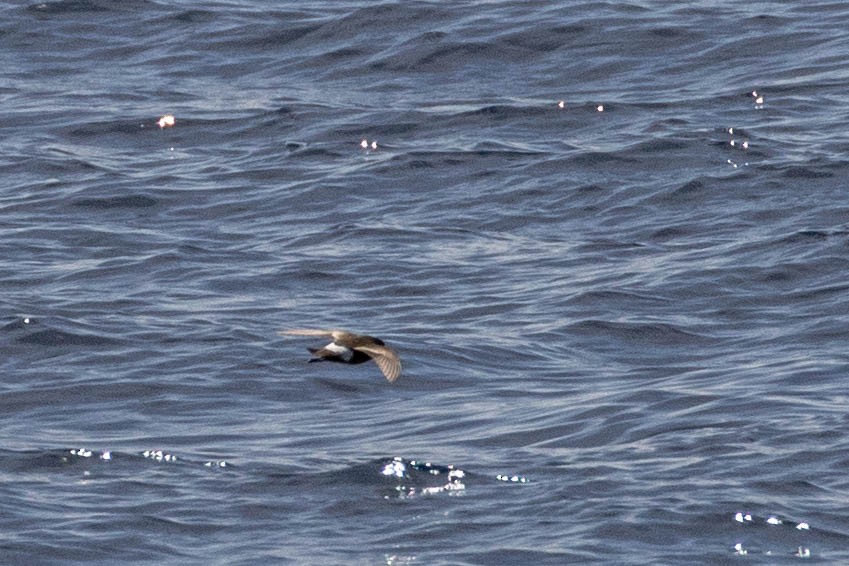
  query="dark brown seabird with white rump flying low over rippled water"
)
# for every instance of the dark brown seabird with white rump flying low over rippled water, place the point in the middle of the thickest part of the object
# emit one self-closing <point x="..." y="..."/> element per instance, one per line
<point x="349" y="348"/>
